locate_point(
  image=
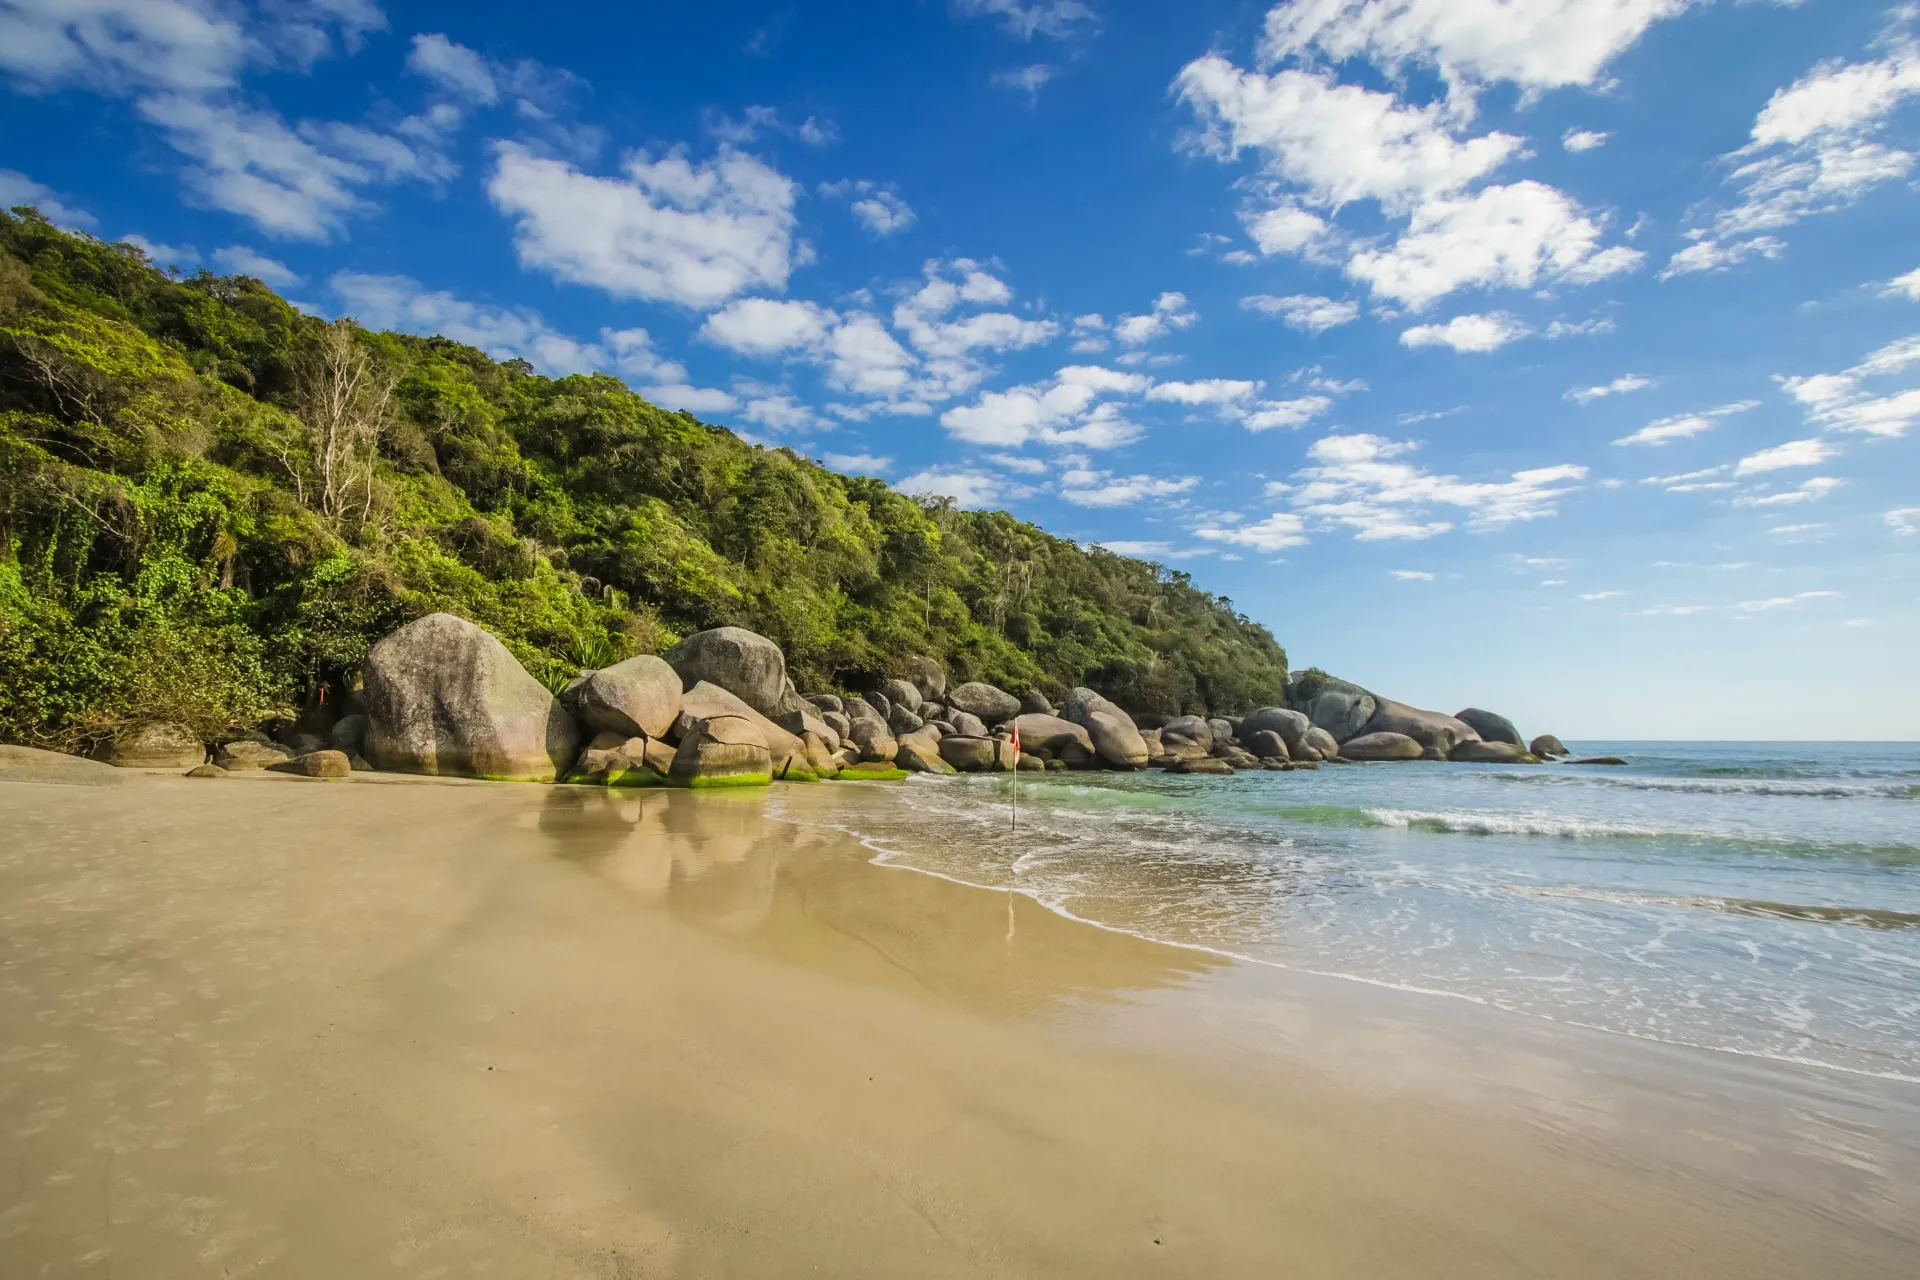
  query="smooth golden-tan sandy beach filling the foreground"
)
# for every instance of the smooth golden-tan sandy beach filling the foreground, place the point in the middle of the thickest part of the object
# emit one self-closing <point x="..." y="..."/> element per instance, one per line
<point x="277" y="1028"/>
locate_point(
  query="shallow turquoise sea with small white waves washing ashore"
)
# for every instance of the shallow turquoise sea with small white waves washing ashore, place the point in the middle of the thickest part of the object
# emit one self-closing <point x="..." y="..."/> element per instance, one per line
<point x="1740" y="897"/>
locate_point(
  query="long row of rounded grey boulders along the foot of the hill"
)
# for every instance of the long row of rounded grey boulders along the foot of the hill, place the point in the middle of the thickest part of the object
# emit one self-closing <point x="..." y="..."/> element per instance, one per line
<point x="444" y="698"/>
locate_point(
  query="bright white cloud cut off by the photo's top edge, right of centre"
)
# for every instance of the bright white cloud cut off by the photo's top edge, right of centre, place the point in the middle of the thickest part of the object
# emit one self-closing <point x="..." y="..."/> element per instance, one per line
<point x="1537" y="45"/>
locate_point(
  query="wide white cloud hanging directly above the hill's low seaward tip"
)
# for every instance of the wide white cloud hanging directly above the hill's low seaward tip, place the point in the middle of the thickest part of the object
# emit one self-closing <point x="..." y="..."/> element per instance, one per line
<point x="1360" y="483"/>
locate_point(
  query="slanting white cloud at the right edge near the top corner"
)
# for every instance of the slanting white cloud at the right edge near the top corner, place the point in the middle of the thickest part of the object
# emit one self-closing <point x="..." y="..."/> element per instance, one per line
<point x="1812" y="151"/>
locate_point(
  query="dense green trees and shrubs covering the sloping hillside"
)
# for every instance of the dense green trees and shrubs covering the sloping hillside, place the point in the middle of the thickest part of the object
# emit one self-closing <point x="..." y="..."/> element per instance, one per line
<point x="212" y="506"/>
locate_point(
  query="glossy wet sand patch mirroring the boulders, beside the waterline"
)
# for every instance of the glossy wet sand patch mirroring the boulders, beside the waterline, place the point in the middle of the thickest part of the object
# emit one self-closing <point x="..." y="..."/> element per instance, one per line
<point x="802" y="893"/>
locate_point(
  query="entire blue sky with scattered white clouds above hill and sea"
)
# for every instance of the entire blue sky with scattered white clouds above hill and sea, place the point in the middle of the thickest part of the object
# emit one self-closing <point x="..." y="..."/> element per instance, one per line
<point x="1552" y="356"/>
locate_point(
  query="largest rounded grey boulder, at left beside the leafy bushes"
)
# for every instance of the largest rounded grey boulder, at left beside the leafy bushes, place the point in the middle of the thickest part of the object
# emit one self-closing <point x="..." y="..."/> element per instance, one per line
<point x="444" y="698"/>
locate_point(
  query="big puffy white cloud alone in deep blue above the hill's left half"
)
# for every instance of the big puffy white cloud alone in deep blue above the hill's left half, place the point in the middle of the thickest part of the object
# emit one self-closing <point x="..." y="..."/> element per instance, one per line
<point x="667" y="229"/>
